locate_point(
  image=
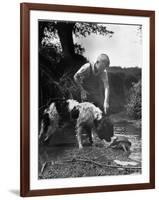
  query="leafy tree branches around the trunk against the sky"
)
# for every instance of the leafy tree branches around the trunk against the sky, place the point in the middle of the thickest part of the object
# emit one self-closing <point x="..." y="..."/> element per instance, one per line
<point x="49" y="33"/>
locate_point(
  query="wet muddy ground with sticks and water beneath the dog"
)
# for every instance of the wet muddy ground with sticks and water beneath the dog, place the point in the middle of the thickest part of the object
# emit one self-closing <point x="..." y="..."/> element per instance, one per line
<point x="61" y="158"/>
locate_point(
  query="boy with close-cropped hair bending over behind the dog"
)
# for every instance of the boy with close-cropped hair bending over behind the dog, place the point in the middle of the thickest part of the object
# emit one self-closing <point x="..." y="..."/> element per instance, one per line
<point x="93" y="82"/>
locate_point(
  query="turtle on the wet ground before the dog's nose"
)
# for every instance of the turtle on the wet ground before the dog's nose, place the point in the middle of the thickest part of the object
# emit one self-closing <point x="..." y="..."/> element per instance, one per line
<point x="121" y="142"/>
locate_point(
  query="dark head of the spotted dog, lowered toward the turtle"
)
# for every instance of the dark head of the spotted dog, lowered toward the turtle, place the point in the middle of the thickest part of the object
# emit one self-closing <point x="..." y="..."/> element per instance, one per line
<point x="105" y="129"/>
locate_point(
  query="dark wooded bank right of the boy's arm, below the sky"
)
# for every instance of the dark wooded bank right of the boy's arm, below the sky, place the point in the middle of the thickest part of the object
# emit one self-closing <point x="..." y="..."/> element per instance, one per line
<point x="120" y="82"/>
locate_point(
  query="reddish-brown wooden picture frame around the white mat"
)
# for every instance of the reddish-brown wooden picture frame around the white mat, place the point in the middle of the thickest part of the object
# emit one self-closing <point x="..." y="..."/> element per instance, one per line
<point x="25" y="152"/>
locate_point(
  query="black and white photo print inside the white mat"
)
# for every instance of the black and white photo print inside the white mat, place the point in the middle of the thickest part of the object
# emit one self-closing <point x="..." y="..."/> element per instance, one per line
<point x="89" y="99"/>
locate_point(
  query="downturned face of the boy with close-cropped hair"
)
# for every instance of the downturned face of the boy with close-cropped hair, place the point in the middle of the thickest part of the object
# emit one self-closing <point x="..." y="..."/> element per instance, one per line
<point x="100" y="65"/>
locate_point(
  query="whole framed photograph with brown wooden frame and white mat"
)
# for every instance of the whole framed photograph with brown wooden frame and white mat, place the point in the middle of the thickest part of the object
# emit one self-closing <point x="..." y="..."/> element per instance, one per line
<point x="87" y="99"/>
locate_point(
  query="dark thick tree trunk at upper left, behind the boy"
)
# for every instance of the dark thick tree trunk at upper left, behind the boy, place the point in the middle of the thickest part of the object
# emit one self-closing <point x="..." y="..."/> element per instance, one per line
<point x="66" y="38"/>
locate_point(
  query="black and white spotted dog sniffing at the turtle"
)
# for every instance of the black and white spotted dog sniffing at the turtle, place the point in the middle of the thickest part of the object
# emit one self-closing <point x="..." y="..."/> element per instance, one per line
<point x="87" y="117"/>
